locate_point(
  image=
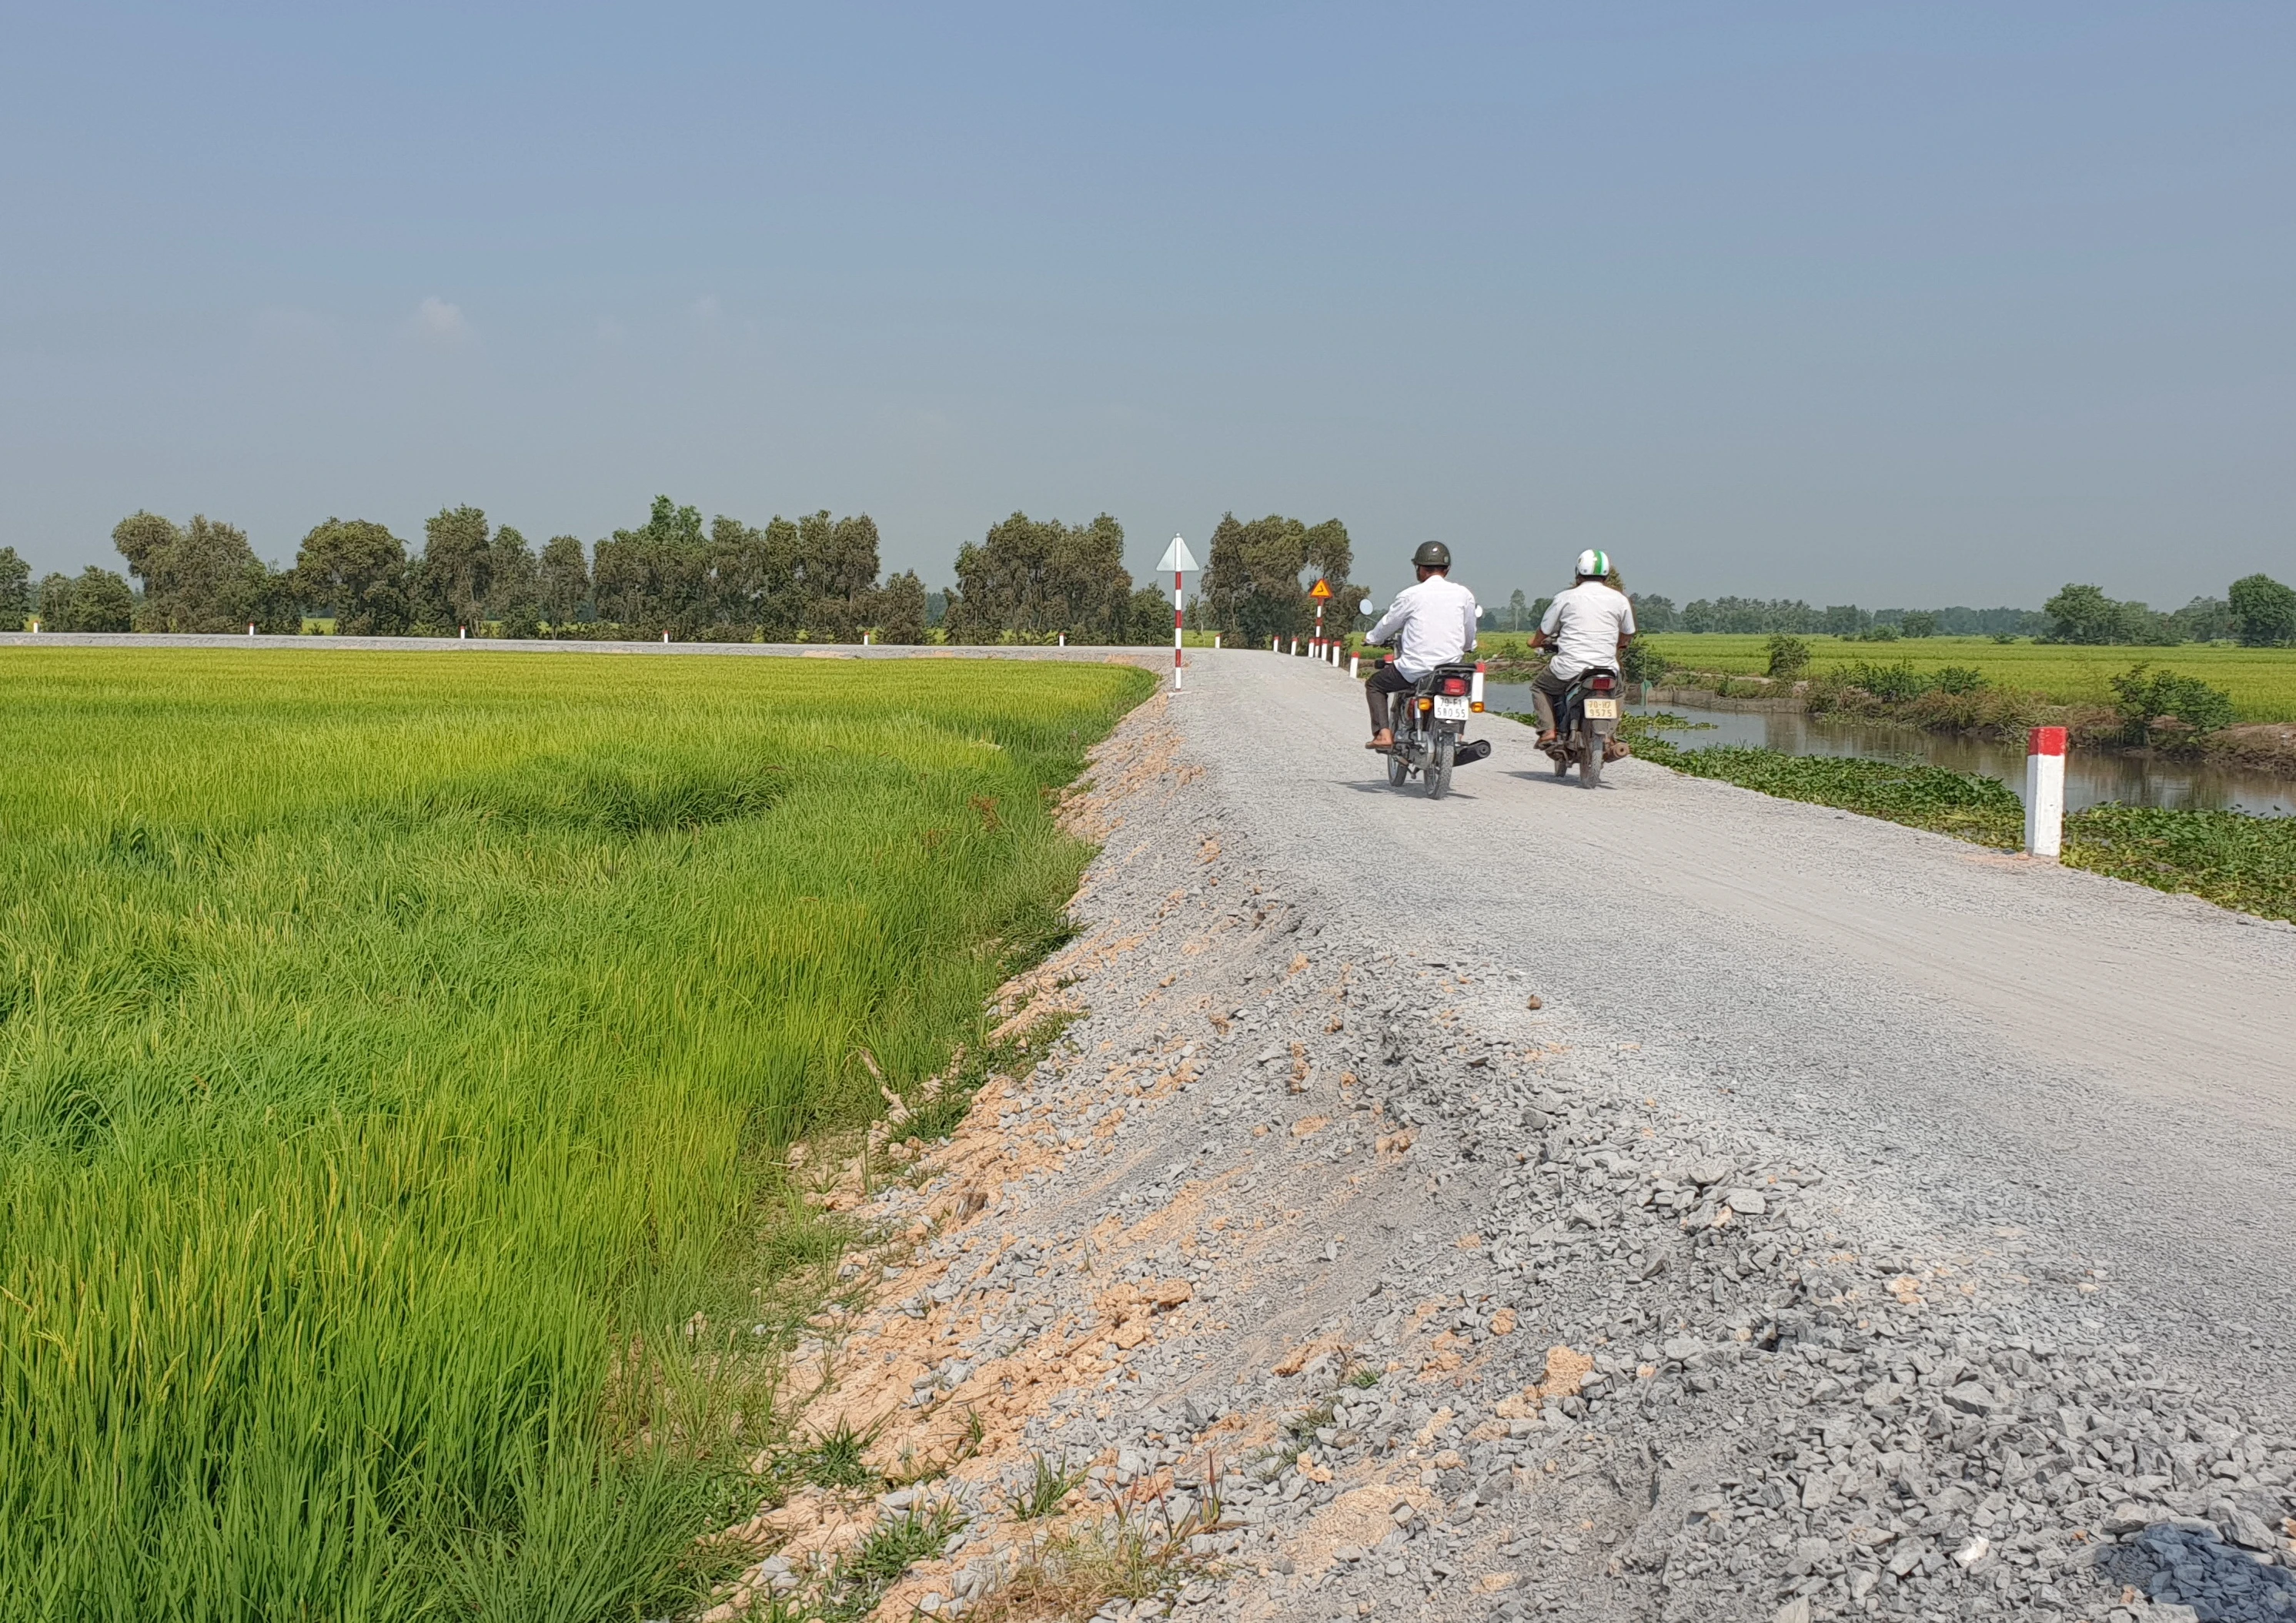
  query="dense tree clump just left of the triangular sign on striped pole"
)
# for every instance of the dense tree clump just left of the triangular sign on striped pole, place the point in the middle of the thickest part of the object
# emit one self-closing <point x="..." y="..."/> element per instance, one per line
<point x="1041" y="577"/>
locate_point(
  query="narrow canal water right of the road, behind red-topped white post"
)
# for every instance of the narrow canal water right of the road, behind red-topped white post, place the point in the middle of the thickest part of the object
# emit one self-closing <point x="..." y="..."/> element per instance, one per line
<point x="2091" y="777"/>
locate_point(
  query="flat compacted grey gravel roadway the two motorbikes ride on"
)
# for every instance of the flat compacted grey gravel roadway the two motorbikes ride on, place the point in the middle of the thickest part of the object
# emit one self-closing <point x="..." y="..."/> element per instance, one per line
<point x="2107" y="1066"/>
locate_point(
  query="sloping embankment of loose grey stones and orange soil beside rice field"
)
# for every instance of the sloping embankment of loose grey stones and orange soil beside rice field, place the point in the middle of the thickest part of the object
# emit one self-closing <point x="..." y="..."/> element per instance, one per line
<point x="1324" y="1268"/>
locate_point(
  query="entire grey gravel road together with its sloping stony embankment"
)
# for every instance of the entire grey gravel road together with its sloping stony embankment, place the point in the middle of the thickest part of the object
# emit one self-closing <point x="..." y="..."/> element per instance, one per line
<point x="1650" y="1204"/>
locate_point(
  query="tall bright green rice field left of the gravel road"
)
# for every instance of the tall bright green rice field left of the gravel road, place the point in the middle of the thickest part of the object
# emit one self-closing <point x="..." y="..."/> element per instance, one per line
<point x="391" y="1048"/>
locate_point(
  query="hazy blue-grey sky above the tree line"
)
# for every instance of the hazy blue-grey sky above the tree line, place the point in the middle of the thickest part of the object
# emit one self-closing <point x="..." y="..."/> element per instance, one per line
<point x="1888" y="304"/>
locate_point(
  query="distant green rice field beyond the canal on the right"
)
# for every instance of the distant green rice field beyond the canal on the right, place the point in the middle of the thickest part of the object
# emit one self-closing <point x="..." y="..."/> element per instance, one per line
<point x="2263" y="681"/>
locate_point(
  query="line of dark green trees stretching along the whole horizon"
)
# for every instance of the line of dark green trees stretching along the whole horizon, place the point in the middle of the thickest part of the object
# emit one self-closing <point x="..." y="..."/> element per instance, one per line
<point x="821" y="577"/>
